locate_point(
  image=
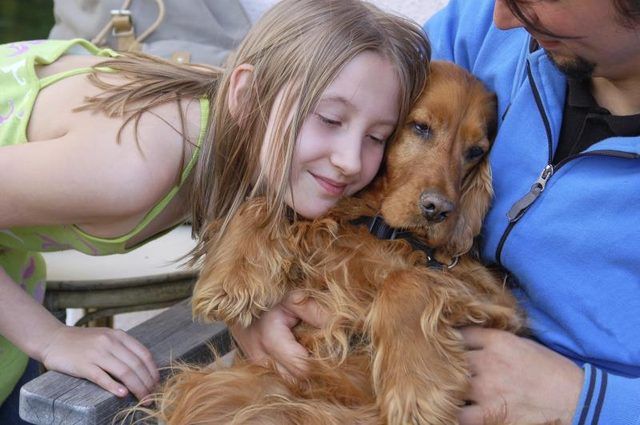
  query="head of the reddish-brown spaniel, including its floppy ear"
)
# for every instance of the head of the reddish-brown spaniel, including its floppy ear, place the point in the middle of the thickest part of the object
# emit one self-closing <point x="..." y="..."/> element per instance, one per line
<point x="437" y="179"/>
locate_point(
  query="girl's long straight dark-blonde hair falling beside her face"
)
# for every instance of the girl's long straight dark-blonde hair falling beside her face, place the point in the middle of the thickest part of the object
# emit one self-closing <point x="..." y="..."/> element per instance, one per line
<point x="299" y="47"/>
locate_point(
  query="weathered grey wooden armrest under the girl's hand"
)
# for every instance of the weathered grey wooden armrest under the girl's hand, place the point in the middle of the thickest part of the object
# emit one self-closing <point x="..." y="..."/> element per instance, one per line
<point x="58" y="399"/>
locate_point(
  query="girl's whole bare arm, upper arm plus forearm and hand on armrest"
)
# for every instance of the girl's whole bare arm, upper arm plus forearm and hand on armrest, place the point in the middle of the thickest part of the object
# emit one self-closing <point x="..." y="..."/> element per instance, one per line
<point x="84" y="177"/>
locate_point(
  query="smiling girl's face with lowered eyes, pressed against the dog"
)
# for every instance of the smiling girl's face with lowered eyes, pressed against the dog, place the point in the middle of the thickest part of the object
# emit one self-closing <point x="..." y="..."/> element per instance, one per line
<point x="341" y="142"/>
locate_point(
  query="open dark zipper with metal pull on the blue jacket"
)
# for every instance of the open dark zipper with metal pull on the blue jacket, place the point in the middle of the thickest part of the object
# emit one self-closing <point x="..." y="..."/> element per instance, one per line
<point x="520" y="207"/>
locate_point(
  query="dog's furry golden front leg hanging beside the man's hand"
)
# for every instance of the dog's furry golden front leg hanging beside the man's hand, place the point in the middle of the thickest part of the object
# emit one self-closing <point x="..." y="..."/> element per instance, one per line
<point x="419" y="372"/>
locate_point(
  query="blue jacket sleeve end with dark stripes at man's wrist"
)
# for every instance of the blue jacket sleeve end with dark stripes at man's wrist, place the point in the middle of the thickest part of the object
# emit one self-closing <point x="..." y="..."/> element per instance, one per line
<point x="608" y="399"/>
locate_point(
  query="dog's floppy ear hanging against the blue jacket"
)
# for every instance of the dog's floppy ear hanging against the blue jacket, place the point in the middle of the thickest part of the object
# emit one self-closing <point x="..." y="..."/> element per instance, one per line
<point x="474" y="204"/>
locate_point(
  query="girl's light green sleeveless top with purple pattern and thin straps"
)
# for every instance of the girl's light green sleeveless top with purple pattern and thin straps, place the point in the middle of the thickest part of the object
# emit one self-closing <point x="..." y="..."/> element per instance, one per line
<point x="19" y="247"/>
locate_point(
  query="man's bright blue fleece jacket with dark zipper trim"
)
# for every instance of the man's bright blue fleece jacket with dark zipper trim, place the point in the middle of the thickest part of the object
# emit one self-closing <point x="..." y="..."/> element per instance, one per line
<point x="570" y="234"/>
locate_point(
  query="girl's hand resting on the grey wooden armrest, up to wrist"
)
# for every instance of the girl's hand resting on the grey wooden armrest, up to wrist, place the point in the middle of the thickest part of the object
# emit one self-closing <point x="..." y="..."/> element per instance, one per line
<point x="100" y="355"/>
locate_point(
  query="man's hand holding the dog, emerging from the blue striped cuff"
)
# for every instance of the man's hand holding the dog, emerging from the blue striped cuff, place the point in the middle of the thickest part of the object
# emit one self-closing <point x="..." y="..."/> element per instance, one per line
<point x="519" y="377"/>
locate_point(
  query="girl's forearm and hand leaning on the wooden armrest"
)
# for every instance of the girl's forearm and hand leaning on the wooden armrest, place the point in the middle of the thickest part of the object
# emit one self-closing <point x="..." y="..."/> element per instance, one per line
<point x="99" y="355"/>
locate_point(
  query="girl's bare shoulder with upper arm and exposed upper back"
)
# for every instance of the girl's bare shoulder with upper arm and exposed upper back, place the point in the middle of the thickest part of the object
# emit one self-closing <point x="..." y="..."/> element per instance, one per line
<point x="92" y="169"/>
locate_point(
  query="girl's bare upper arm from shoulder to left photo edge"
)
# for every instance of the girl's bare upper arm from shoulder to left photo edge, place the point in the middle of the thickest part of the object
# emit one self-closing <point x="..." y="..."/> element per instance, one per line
<point x="85" y="177"/>
